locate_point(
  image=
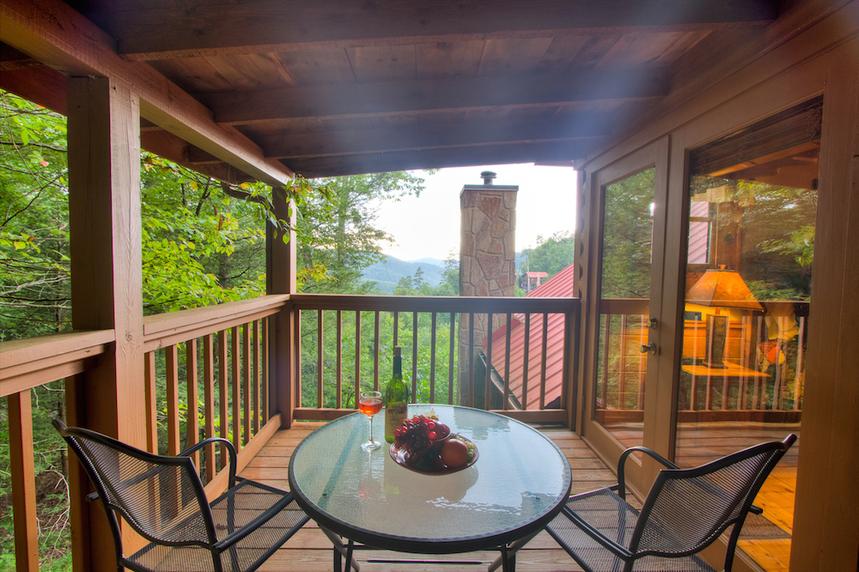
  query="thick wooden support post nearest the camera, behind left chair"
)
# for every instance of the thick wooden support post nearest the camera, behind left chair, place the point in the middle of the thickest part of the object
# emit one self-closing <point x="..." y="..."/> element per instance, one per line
<point x="104" y="217"/>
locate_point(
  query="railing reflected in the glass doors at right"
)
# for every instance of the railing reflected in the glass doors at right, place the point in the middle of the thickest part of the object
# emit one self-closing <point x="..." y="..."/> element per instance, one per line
<point x="765" y="352"/>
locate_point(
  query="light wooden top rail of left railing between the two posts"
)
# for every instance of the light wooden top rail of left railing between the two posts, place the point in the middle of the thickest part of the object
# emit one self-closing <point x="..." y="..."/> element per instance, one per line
<point x="175" y="327"/>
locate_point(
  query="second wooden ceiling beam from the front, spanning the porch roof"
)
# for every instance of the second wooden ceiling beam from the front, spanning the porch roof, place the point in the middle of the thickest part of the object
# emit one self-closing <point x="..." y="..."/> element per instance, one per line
<point x="403" y="97"/>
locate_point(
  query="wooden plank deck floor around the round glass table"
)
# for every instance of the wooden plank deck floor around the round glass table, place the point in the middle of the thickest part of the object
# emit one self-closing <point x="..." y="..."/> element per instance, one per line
<point x="310" y="550"/>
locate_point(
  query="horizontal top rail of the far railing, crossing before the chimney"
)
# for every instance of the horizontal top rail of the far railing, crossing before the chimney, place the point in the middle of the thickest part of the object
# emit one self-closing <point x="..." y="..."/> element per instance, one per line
<point x="474" y="304"/>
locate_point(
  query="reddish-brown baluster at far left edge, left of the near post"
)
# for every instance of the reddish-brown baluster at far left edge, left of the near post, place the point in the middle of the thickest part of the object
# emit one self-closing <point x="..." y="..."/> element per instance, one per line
<point x="22" y="467"/>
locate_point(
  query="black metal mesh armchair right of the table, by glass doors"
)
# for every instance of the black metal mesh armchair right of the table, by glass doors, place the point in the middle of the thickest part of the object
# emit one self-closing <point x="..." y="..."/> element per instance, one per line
<point x="685" y="511"/>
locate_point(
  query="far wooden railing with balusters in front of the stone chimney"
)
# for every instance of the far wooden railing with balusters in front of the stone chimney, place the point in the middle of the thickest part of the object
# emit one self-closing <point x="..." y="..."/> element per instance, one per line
<point x="447" y="342"/>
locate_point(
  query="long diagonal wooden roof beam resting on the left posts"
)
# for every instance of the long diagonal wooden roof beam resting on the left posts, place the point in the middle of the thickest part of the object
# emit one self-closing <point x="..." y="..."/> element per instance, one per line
<point x="53" y="33"/>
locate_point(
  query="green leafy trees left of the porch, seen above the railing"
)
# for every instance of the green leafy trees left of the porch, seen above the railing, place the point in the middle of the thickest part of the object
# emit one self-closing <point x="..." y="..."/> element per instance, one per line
<point x="203" y="243"/>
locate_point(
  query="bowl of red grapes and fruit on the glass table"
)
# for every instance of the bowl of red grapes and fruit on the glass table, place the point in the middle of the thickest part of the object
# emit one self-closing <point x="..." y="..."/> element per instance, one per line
<point x="426" y="445"/>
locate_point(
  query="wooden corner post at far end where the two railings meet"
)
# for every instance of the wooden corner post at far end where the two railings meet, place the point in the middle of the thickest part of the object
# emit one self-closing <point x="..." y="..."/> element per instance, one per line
<point x="280" y="279"/>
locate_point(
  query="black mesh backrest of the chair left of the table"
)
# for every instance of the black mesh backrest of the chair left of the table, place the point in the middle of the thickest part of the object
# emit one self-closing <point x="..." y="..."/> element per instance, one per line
<point x="161" y="497"/>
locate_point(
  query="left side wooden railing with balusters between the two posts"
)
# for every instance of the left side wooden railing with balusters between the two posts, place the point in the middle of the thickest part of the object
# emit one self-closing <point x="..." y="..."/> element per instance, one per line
<point x="224" y="350"/>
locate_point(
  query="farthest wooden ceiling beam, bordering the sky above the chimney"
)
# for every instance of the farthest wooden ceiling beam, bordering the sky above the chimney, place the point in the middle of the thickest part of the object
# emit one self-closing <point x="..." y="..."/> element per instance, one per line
<point x="541" y="152"/>
